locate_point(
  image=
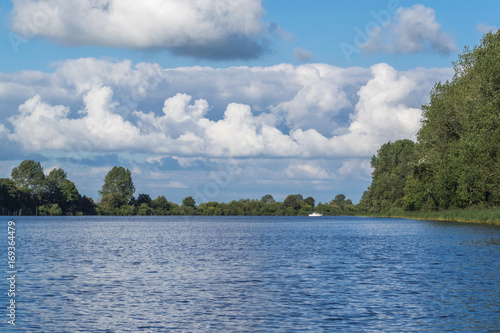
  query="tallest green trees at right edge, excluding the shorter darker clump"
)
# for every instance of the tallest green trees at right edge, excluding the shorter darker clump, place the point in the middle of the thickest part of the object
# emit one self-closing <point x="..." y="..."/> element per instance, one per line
<point x="460" y="135"/>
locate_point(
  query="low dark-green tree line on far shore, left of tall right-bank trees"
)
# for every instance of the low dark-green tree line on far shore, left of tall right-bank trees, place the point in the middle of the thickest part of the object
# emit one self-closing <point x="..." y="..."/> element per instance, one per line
<point x="30" y="192"/>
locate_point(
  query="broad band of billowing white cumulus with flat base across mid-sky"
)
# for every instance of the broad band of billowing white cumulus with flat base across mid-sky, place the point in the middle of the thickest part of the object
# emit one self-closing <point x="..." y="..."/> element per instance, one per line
<point x="308" y="111"/>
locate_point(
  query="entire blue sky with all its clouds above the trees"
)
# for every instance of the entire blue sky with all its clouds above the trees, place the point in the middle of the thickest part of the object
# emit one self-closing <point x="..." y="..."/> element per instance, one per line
<point x="226" y="99"/>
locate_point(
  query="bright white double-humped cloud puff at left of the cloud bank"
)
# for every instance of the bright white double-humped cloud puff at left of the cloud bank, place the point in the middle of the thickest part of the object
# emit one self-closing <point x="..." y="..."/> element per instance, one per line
<point x="40" y="126"/>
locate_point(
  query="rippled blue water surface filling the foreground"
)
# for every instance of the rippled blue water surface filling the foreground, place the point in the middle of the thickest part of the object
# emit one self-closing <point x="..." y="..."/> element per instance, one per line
<point x="252" y="274"/>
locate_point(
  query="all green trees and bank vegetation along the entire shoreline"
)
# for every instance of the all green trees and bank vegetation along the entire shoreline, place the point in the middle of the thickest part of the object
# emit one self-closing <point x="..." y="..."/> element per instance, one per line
<point x="452" y="172"/>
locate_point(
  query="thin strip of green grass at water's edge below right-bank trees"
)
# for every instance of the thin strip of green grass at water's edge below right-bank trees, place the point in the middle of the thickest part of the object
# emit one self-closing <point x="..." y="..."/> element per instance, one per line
<point x="470" y="215"/>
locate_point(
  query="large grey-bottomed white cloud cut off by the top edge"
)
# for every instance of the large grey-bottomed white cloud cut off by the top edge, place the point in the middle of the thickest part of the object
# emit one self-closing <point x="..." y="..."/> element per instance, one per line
<point x="200" y="28"/>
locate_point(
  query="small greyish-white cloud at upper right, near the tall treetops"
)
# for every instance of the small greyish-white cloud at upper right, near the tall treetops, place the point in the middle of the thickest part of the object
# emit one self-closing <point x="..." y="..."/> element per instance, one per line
<point x="412" y="30"/>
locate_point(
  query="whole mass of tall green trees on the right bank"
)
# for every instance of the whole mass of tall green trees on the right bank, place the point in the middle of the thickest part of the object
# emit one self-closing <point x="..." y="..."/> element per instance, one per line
<point x="455" y="162"/>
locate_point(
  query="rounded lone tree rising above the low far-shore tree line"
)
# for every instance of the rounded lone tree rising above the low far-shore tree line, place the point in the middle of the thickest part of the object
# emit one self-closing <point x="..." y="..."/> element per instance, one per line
<point x="118" y="182"/>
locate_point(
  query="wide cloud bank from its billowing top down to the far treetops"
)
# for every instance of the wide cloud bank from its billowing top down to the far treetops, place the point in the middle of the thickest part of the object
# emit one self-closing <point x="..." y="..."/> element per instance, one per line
<point x="280" y="128"/>
